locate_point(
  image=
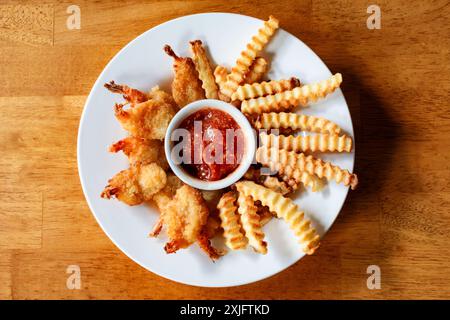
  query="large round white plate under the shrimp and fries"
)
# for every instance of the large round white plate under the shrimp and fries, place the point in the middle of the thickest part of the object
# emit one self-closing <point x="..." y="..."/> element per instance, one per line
<point x="143" y="64"/>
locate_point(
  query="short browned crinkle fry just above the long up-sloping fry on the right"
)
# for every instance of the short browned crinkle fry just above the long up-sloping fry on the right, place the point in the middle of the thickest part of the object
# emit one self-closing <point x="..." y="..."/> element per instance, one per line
<point x="249" y="91"/>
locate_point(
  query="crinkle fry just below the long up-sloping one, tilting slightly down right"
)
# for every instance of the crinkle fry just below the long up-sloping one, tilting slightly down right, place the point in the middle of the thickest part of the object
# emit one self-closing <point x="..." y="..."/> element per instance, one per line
<point x="289" y="120"/>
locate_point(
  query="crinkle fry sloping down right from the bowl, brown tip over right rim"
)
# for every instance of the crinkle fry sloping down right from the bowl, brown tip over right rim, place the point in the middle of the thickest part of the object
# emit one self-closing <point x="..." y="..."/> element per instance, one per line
<point x="284" y="160"/>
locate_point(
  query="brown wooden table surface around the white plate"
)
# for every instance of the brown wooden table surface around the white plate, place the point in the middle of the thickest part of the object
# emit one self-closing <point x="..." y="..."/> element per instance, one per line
<point x="396" y="84"/>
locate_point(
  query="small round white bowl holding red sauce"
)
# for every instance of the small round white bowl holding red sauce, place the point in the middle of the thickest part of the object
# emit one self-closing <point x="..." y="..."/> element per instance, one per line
<point x="249" y="149"/>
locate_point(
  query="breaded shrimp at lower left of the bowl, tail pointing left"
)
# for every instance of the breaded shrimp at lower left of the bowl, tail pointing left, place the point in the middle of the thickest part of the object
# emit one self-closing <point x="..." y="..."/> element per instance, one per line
<point x="136" y="184"/>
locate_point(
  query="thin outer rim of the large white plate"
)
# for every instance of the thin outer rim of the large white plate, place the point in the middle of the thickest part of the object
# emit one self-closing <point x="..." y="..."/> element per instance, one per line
<point x="83" y="182"/>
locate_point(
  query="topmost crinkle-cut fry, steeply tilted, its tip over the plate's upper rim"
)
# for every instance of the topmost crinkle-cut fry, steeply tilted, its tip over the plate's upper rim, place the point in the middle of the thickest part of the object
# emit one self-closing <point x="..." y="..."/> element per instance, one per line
<point x="247" y="56"/>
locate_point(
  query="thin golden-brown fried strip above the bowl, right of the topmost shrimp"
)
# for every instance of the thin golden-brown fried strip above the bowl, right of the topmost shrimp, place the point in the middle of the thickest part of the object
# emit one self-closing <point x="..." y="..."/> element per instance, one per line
<point x="204" y="69"/>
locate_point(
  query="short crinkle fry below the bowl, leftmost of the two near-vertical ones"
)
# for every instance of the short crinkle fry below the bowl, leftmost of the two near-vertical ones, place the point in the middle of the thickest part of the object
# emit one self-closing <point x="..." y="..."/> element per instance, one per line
<point x="234" y="238"/>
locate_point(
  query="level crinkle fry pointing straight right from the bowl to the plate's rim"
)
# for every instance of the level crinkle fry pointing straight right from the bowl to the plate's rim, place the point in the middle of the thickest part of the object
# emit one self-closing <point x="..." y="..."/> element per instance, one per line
<point x="318" y="142"/>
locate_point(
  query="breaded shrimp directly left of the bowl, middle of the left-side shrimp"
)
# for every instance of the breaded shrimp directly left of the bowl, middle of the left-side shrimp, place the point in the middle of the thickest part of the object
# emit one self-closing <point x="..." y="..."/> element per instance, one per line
<point x="141" y="151"/>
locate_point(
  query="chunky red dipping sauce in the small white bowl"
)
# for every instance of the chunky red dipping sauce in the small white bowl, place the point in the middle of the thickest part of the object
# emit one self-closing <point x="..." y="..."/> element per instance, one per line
<point x="215" y="144"/>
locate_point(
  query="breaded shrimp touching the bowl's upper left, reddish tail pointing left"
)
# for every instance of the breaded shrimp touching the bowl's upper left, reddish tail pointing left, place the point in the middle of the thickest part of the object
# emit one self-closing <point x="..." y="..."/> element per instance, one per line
<point x="148" y="120"/>
